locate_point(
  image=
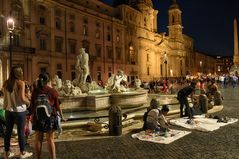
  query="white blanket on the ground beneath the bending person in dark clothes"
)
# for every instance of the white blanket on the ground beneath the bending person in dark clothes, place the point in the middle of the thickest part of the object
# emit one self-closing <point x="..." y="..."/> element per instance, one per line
<point x="201" y="123"/>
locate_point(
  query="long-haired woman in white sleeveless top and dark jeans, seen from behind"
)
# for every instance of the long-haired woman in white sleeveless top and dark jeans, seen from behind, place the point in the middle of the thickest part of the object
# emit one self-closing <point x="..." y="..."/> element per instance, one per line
<point x="15" y="105"/>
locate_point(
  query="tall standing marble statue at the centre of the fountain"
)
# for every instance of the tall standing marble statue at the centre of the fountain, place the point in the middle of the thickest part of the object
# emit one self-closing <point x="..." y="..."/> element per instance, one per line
<point x="82" y="65"/>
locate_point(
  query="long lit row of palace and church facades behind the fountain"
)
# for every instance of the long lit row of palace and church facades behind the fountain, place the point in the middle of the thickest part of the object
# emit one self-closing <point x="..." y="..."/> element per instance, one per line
<point x="48" y="34"/>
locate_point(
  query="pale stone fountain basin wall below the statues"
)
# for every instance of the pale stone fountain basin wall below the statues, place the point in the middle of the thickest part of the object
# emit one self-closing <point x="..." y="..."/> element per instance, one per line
<point x="104" y="101"/>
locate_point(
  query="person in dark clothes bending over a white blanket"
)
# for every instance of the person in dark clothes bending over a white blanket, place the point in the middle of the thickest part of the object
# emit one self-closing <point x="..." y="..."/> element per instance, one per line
<point x="182" y="97"/>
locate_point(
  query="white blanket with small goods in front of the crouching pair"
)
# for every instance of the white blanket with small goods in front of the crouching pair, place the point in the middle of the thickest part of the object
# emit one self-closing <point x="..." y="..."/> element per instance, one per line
<point x="163" y="138"/>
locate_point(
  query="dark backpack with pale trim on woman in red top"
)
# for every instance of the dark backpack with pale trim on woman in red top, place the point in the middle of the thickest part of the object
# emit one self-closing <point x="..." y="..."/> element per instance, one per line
<point x="44" y="111"/>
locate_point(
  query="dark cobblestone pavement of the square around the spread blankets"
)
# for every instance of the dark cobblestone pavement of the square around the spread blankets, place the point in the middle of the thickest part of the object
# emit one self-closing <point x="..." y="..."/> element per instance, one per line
<point x="219" y="144"/>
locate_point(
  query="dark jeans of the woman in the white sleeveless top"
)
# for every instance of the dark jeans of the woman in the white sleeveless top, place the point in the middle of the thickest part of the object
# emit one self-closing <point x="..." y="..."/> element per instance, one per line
<point x="20" y="119"/>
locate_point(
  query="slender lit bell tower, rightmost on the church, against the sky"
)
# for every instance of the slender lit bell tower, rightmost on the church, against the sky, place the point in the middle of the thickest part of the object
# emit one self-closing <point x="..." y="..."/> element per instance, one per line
<point x="175" y="28"/>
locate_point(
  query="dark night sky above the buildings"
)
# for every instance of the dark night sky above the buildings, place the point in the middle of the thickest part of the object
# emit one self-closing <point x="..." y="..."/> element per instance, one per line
<point x="208" y="22"/>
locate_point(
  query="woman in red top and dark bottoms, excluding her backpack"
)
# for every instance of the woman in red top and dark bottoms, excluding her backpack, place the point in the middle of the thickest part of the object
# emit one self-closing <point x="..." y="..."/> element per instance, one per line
<point x="43" y="87"/>
